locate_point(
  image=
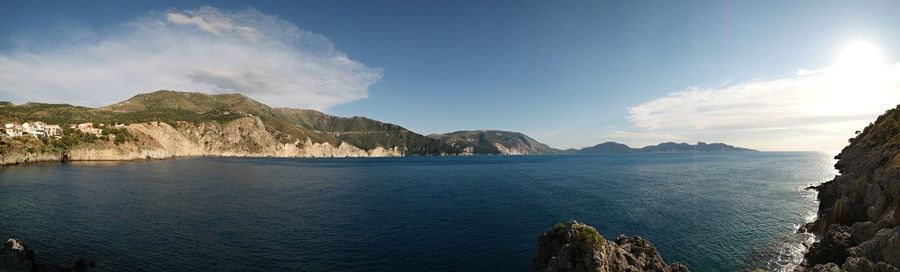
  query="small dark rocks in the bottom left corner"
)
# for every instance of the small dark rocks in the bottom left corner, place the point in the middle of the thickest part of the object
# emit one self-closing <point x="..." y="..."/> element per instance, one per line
<point x="16" y="257"/>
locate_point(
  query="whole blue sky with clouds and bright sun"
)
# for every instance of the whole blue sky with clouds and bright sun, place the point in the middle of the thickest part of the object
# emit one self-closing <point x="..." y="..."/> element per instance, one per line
<point x="770" y="75"/>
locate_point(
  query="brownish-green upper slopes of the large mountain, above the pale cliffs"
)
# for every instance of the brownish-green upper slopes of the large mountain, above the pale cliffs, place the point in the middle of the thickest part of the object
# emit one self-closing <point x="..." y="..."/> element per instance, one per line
<point x="293" y="124"/>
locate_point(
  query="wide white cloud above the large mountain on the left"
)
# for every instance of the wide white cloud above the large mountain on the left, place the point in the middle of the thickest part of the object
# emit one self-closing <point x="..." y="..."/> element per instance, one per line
<point x="208" y="50"/>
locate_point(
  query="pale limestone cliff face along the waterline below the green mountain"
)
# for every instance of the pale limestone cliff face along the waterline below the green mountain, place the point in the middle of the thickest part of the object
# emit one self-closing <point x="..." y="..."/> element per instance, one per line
<point x="242" y="137"/>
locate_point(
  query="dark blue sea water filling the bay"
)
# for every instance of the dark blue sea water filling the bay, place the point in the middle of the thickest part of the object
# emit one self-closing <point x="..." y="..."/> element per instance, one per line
<point x="711" y="211"/>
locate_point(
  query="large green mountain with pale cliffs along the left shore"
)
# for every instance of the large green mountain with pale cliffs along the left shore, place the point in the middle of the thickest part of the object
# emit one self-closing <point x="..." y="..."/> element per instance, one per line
<point x="165" y="124"/>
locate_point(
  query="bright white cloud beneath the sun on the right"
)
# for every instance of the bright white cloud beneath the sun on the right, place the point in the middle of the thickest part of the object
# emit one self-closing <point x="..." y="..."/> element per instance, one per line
<point x="810" y="110"/>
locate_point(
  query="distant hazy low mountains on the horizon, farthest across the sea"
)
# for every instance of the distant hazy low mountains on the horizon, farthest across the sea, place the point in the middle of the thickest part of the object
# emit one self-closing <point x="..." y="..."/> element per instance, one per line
<point x="613" y="147"/>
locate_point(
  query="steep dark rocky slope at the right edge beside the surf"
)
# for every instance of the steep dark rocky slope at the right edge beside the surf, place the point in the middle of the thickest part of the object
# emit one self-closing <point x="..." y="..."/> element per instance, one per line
<point x="859" y="210"/>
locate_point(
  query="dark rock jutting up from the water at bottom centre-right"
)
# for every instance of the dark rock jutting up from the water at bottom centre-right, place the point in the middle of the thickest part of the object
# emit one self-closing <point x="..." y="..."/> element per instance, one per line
<point x="575" y="246"/>
